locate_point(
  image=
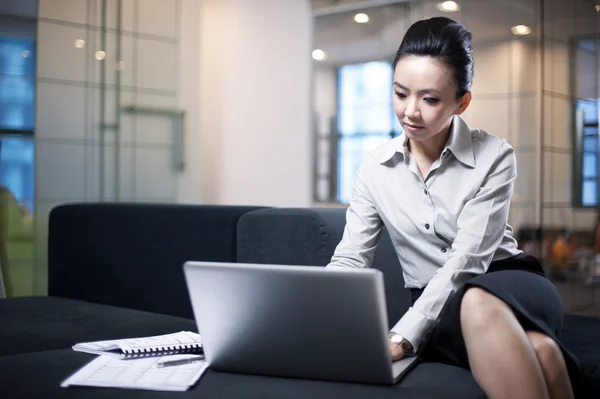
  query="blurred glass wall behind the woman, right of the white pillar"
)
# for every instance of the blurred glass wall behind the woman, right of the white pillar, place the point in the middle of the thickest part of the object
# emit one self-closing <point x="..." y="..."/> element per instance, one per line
<point x="536" y="85"/>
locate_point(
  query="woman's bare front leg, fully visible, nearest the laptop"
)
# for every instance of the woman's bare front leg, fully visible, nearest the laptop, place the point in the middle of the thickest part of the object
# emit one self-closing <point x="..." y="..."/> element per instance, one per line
<point x="502" y="359"/>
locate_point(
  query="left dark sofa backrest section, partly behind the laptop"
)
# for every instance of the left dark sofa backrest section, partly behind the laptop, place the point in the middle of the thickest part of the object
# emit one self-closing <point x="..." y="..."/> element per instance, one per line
<point x="132" y="255"/>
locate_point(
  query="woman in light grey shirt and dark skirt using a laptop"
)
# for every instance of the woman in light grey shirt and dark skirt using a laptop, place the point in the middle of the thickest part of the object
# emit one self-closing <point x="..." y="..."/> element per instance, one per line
<point x="443" y="191"/>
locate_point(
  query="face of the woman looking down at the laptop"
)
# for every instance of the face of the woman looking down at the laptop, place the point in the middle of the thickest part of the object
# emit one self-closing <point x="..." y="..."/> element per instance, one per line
<point x="425" y="96"/>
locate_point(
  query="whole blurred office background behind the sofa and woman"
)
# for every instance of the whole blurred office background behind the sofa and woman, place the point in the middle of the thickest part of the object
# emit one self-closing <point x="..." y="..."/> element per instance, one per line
<point x="274" y="102"/>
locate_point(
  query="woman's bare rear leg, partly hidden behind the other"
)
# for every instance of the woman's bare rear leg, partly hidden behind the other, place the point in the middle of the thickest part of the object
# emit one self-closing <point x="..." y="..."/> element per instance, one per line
<point x="553" y="365"/>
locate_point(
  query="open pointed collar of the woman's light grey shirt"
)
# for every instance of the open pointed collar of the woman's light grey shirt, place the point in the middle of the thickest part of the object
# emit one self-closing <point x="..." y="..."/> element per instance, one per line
<point x="459" y="143"/>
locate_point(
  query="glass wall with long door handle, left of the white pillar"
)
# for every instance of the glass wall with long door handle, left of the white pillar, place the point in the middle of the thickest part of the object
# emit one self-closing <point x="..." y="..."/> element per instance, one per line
<point x="106" y="126"/>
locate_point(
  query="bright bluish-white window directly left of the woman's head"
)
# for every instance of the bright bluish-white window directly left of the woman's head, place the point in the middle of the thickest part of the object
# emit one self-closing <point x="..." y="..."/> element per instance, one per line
<point x="365" y="118"/>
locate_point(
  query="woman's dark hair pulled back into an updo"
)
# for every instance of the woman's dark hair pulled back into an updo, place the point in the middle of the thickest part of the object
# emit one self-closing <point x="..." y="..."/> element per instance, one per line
<point x="445" y="40"/>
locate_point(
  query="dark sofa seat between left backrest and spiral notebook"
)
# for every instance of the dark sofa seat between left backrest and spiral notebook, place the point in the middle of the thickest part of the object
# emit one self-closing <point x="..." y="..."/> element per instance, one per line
<point x="32" y="324"/>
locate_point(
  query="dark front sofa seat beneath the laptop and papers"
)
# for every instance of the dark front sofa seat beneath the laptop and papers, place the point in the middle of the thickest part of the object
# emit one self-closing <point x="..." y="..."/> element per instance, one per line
<point x="50" y="368"/>
